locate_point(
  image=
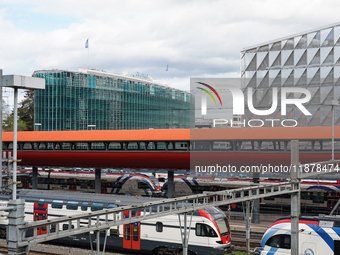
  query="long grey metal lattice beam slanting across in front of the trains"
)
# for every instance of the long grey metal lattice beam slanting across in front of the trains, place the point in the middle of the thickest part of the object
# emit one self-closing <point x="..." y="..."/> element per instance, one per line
<point x="105" y="219"/>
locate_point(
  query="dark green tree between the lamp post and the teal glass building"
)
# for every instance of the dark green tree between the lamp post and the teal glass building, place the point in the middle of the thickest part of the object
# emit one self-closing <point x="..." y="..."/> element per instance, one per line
<point x="26" y="110"/>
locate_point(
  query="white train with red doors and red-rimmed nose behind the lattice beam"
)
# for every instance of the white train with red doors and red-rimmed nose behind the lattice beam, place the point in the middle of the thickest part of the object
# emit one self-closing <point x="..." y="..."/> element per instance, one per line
<point x="209" y="232"/>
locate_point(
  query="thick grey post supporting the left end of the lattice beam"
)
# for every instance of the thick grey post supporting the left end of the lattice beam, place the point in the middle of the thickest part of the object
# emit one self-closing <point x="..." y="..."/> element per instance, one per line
<point x="16" y="219"/>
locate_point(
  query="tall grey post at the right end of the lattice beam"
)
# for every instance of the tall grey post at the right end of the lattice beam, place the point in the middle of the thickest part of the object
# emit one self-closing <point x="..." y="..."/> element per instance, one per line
<point x="295" y="198"/>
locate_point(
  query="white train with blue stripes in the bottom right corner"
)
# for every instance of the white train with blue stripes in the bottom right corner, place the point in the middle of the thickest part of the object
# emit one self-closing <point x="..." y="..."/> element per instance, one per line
<point x="317" y="235"/>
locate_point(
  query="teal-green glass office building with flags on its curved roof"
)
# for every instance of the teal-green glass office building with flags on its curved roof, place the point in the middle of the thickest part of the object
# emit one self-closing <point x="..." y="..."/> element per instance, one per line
<point x="91" y="99"/>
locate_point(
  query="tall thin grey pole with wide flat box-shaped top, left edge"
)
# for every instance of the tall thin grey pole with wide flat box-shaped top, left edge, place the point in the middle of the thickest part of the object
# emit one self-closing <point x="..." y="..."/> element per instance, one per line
<point x="17" y="82"/>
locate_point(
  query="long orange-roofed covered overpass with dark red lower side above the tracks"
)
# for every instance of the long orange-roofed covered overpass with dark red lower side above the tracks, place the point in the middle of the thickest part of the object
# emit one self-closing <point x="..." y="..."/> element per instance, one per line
<point x="171" y="149"/>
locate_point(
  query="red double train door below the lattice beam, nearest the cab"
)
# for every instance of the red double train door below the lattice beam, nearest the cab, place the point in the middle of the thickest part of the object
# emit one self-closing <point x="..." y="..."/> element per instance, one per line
<point x="131" y="234"/>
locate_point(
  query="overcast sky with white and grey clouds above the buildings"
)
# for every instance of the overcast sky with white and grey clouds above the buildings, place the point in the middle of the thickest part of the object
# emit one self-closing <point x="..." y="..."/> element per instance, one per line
<point x="195" y="38"/>
